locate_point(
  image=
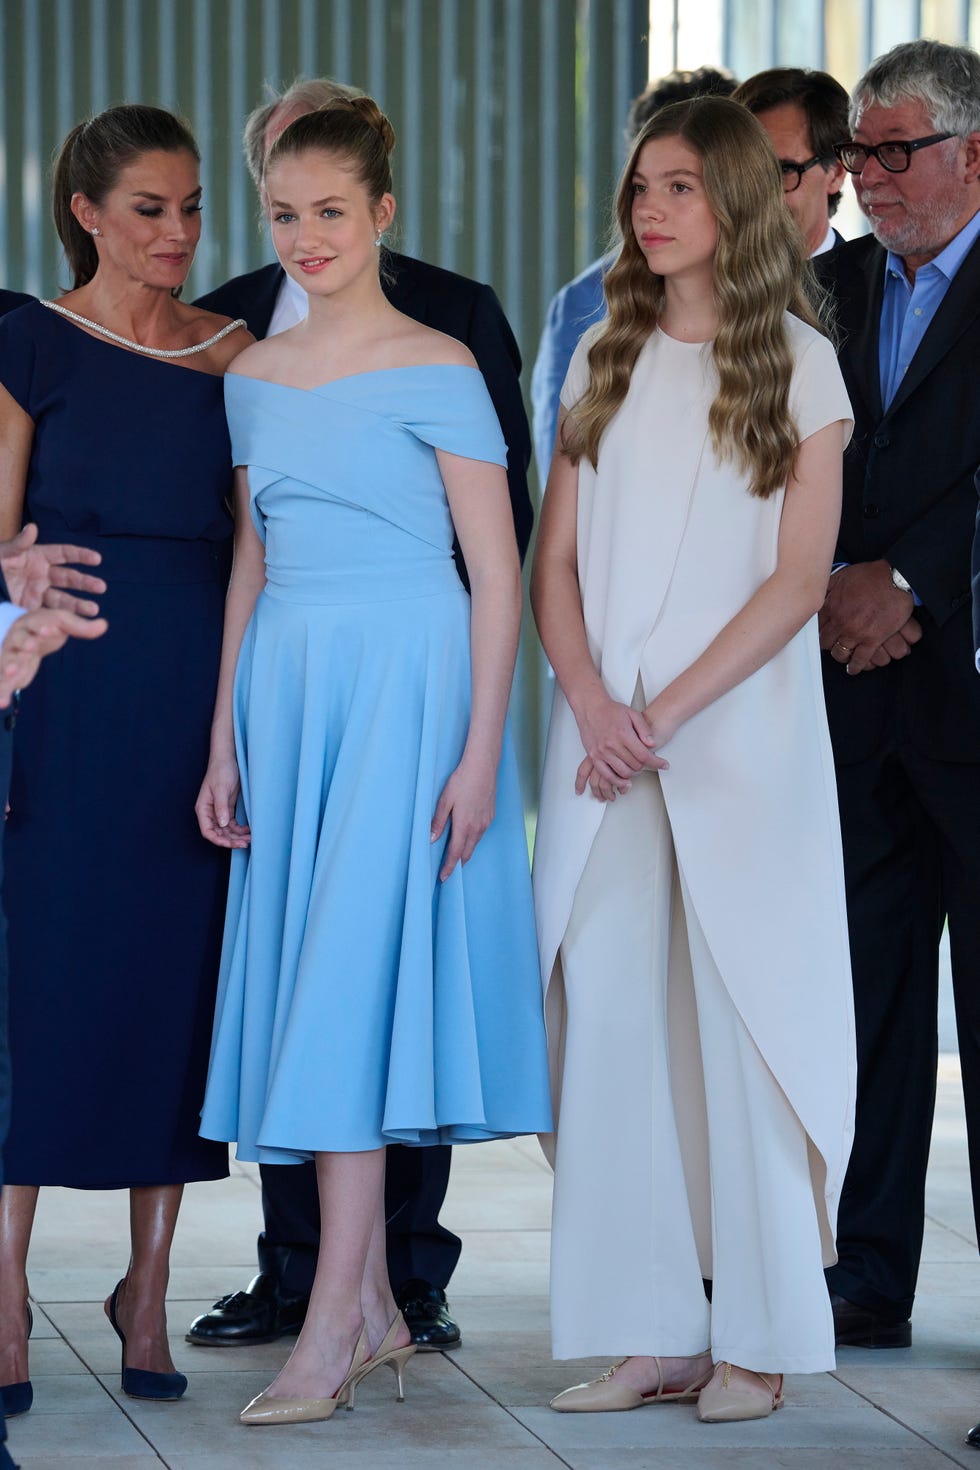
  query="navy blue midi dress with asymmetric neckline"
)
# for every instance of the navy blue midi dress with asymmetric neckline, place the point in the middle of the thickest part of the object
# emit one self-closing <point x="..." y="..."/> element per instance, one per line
<point x="114" y="900"/>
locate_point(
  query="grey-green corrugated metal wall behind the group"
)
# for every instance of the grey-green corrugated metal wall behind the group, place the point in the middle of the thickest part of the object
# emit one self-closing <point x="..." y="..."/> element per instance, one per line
<point x="509" y="117"/>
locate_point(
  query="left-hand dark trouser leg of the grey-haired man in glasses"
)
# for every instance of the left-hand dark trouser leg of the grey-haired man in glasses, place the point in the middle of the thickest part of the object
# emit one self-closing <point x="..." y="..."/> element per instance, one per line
<point x="893" y="871"/>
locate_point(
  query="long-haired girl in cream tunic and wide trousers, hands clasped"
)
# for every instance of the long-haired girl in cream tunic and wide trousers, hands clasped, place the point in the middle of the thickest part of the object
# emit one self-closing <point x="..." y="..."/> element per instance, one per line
<point x="688" y="872"/>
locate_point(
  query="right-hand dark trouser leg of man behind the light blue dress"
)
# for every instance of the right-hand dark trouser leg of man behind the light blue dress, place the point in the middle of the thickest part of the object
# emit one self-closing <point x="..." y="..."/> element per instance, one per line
<point x="415" y="1193"/>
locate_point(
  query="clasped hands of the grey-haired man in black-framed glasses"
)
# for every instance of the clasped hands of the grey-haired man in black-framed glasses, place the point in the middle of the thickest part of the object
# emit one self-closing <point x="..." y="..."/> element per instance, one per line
<point x="863" y="614"/>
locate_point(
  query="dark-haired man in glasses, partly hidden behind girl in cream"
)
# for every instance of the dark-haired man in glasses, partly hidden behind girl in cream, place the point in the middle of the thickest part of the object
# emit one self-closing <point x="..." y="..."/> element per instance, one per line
<point x="804" y="115"/>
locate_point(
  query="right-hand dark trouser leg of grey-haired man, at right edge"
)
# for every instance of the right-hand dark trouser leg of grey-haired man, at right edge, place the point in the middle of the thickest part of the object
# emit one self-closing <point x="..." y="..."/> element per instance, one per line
<point x="951" y="793"/>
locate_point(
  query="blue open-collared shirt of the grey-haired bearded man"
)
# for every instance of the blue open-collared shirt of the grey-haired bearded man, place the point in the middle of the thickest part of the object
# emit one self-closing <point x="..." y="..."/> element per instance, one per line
<point x="907" y="309"/>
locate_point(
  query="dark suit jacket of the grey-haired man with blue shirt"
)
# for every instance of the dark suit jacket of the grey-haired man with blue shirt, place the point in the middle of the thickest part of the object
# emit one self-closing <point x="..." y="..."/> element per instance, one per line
<point x="910" y="499"/>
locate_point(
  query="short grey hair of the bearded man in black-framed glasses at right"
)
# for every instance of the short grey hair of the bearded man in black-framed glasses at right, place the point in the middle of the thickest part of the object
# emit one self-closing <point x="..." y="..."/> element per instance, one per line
<point x="945" y="79"/>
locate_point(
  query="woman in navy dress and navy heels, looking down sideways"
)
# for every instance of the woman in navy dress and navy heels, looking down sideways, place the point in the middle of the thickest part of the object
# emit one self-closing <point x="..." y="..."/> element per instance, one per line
<point x="114" y="433"/>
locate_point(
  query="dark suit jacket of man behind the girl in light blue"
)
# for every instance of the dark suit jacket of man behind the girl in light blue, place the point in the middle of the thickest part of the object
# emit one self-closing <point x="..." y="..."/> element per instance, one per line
<point x="450" y="304"/>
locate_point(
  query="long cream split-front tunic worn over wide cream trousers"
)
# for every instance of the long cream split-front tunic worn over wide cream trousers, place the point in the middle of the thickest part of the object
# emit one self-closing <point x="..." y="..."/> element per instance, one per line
<point x="671" y="546"/>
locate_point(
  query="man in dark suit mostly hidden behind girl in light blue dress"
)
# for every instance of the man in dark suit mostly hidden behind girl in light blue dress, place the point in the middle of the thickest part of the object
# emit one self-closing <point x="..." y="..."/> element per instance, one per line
<point x="422" y="1253"/>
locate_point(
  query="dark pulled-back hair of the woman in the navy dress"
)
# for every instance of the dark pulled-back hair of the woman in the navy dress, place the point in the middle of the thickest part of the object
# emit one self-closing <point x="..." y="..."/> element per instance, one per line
<point x="92" y="159"/>
